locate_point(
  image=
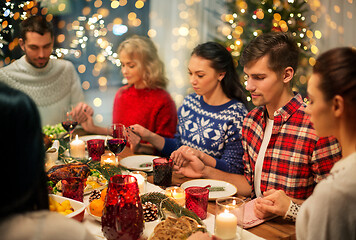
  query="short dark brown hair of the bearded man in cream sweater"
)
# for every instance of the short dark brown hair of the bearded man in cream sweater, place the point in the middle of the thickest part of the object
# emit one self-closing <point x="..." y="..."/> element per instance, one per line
<point x="35" y="23"/>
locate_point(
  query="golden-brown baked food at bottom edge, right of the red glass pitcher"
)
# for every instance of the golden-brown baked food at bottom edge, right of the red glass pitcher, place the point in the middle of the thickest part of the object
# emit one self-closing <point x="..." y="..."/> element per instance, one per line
<point x="175" y="228"/>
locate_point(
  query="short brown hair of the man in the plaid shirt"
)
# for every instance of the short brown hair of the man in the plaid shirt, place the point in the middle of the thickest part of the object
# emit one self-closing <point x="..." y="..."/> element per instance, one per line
<point x="281" y="48"/>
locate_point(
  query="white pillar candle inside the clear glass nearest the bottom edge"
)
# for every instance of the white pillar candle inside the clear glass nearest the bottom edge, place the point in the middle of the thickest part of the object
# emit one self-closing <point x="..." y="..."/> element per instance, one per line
<point x="225" y="225"/>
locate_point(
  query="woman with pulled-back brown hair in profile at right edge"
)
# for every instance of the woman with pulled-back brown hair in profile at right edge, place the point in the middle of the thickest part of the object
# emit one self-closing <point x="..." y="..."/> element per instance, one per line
<point x="329" y="213"/>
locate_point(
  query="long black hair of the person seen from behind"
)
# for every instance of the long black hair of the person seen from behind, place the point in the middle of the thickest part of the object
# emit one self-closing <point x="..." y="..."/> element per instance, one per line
<point x="22" y="154"/>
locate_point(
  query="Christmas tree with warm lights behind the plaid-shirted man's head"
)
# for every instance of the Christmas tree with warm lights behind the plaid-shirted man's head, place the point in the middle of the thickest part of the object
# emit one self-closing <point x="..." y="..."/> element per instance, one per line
<point x="249" y="19"/>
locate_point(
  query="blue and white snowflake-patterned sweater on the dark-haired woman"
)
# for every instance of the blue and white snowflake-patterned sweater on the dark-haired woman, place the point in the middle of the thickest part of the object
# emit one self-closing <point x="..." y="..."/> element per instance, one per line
<point x="214" y="130"/>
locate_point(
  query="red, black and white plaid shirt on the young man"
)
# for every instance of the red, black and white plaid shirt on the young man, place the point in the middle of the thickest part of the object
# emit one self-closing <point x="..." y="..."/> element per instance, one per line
<point x="296" y="158"/>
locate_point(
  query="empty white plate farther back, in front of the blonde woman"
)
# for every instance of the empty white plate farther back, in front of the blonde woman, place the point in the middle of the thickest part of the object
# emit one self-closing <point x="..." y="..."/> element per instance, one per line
<point x="134" y="162"/>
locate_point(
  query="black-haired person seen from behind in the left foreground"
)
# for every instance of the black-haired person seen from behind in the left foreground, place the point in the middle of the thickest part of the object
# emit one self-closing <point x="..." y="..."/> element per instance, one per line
<point x="24" y="206"/>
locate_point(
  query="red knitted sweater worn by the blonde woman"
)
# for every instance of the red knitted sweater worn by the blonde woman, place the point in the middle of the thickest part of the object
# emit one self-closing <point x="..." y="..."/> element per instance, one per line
<point x="154" y="109"/>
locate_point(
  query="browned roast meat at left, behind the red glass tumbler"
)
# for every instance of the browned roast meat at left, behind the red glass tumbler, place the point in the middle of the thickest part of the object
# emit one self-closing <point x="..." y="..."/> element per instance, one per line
<point x="60" y="172"/>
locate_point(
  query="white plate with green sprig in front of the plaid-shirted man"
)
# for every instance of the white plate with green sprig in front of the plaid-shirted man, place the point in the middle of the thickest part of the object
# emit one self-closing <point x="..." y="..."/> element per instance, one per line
<point x="228" y="191"/>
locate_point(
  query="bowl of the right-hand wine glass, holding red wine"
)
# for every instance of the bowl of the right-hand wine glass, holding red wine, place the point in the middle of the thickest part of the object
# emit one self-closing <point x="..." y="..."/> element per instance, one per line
<point x="119" y="140"/>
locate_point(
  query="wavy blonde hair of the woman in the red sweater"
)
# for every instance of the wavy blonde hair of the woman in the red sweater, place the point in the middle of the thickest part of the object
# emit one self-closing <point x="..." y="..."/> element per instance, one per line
<point x="143" y="50"/>
